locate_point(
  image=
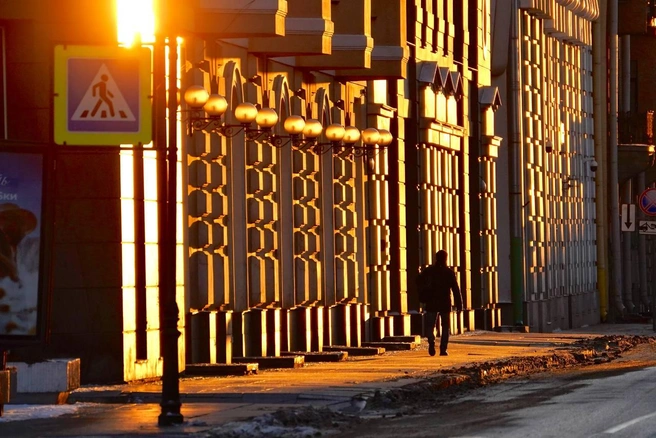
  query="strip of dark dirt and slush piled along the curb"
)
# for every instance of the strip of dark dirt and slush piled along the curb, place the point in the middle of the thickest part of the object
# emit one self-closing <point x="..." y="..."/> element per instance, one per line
<point x="313" y="421"/>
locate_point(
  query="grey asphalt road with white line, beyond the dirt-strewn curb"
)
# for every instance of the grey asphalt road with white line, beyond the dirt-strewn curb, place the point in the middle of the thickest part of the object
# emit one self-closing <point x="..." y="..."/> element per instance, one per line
<point x="617" y="400"/>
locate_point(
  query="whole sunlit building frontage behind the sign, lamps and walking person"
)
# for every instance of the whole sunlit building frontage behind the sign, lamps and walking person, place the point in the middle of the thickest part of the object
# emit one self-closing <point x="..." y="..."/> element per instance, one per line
<point x="291" y="245"/>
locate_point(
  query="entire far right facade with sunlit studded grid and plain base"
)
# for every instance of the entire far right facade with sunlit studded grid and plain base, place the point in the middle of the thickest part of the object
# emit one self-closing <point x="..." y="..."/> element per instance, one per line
<point x="554" y="86"/>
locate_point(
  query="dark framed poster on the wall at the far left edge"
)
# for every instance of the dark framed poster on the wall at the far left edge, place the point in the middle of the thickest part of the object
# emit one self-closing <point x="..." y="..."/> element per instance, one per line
<point x="21" y="195"/>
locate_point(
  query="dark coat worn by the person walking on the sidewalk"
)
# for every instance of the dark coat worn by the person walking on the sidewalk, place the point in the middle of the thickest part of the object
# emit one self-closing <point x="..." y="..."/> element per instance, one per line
<point x="435" y="284"/>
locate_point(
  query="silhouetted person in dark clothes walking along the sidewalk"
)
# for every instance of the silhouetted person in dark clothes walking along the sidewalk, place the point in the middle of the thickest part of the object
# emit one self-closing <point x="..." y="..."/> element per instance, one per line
<point x="436" y="283"/>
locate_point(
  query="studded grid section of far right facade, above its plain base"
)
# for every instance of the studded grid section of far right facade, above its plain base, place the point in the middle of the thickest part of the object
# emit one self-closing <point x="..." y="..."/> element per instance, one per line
<point x="559" y="229"/>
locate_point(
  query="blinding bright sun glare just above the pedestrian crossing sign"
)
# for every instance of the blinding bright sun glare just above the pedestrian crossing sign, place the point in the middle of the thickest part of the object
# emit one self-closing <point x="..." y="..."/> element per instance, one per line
<point x="136" y="19"/>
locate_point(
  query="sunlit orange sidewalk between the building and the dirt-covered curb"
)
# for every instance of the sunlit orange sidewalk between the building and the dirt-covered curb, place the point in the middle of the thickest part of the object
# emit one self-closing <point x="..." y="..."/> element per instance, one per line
<point x="207" y="402"/>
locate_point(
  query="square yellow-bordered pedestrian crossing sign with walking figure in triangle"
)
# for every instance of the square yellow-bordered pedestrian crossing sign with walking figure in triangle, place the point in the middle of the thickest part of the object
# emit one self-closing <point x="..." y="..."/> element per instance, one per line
<point x="102" y="95"/>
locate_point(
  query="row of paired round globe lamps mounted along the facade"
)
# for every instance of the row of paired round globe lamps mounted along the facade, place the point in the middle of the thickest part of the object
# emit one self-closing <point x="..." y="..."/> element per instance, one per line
<point x="207" y="112"/>
